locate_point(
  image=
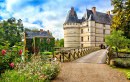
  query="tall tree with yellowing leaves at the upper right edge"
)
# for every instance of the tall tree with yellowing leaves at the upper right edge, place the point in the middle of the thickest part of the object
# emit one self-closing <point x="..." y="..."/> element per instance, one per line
<point x="121" y="19"/>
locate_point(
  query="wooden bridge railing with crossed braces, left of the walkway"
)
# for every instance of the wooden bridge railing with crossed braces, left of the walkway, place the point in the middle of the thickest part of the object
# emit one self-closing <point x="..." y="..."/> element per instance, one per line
<point x="72" y="54"/>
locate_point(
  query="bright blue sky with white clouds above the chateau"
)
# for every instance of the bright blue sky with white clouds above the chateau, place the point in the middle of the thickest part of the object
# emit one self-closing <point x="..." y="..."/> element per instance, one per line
<point x="48" y="14"/>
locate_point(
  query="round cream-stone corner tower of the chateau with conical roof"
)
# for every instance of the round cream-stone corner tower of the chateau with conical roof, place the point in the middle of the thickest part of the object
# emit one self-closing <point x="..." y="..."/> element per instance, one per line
<point x="71" y="30"/>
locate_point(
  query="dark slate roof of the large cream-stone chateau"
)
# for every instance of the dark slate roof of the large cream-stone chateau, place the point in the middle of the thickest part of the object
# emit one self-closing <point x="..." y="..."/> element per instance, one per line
<point x="99" y="17"/>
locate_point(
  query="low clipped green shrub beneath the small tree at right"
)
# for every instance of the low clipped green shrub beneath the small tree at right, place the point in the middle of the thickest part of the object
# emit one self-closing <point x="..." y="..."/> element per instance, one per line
<point x="122" y="62"/>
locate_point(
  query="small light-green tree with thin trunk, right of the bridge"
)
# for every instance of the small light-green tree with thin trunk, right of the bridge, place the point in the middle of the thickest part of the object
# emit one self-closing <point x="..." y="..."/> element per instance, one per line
<point x="116" y="39"/>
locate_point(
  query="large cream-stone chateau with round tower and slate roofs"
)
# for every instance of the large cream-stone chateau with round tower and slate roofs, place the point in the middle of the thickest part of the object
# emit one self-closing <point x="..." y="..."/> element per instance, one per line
<point x="88" y="31"/>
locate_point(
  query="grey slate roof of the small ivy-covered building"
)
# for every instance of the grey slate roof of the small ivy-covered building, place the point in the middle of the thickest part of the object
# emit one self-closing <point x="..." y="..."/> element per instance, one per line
<point x="31" y="34"/>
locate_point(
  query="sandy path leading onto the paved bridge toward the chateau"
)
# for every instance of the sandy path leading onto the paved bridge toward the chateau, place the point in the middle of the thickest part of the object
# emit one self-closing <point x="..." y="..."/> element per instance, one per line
<point x="89" y="70"/>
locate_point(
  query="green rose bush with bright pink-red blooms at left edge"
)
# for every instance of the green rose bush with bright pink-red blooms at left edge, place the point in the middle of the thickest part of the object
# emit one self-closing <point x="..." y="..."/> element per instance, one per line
<point x="9" y="56"/>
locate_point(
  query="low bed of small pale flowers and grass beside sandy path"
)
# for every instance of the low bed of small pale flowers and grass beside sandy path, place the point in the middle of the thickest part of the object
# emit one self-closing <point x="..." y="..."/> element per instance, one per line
<point x="37" y="70"/>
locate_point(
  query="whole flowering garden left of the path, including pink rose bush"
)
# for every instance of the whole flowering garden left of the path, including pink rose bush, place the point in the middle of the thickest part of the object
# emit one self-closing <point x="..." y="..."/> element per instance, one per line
<point x="18" y="65"/>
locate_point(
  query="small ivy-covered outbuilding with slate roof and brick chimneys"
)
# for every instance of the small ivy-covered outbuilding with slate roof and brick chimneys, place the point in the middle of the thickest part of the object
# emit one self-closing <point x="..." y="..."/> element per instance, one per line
<point x="39" y="41"/>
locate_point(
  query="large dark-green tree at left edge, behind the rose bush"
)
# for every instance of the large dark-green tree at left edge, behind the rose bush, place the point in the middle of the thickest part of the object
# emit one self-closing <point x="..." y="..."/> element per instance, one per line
<point x="11" y="30"/>
